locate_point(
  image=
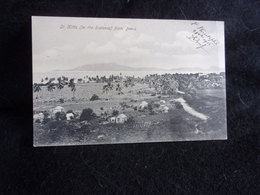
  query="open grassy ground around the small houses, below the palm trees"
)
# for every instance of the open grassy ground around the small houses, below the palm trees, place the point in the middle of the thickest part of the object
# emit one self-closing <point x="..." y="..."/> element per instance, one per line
<point x="176" y="125"/>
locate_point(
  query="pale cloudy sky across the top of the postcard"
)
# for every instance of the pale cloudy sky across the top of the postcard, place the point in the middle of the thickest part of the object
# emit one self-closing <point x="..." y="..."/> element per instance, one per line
<point x="163" y="44"/>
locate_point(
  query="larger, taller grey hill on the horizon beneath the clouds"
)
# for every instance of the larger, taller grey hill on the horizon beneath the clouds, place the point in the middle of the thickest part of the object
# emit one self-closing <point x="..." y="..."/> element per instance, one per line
<point x="112" y="67"/>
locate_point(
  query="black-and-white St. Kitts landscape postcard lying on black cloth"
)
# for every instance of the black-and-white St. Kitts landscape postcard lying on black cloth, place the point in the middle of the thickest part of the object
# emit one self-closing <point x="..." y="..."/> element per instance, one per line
<point x="111" y="81"/>
